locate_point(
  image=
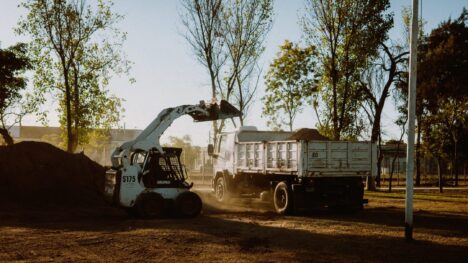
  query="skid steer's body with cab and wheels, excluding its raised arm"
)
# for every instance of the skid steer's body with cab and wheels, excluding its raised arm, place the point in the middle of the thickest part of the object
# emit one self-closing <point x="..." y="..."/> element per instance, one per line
<point x="152" y="185"/>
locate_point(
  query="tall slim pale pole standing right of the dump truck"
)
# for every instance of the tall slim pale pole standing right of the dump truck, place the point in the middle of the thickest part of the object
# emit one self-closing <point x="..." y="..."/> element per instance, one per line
<point x="411" y="119"/>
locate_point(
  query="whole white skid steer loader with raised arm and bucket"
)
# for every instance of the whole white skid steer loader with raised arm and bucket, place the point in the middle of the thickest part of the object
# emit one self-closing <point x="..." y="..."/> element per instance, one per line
<point x="149" y="180"/>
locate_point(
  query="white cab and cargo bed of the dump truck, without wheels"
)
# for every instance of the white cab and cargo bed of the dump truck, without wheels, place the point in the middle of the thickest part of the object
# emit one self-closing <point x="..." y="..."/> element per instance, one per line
<point x="303" y="158"/>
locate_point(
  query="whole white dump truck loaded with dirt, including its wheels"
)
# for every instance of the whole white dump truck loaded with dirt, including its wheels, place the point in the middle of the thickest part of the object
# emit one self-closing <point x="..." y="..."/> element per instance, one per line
<point x="292" y="173"/>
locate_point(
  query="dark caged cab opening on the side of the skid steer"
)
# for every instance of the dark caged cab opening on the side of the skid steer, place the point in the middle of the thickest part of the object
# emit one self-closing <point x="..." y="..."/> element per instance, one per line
<point x="163" y="170"/>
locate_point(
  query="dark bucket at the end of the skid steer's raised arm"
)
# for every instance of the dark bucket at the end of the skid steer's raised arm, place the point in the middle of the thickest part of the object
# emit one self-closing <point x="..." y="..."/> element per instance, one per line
<point x="216" y="112"/>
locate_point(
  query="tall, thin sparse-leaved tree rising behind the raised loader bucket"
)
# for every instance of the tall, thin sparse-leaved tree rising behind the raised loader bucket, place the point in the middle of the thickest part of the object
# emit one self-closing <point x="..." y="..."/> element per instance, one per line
<point x="227" y="38"/>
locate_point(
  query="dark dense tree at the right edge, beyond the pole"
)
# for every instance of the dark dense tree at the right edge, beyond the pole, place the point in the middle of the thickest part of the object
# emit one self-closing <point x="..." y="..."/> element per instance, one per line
<point x="443" y="82"/>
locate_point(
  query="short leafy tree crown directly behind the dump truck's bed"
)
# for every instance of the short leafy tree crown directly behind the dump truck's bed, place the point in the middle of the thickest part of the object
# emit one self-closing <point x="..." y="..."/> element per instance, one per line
<point x="290" y="82"/>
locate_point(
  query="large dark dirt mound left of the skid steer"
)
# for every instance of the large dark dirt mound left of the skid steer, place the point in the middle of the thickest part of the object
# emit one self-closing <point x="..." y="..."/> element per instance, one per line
<point x="39" y="174"/>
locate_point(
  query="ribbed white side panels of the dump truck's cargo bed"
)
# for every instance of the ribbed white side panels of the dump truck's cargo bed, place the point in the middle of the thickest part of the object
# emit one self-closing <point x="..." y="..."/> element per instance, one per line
<point x="306" y="158"/>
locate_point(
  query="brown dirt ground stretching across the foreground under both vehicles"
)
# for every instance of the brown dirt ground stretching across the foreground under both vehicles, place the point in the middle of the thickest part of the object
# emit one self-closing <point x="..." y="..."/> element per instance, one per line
<point x="240" y="233"/>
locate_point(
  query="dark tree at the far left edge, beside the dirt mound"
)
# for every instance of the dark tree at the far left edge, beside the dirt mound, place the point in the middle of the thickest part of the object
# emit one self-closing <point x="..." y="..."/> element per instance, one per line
<point x="13" y="106"/>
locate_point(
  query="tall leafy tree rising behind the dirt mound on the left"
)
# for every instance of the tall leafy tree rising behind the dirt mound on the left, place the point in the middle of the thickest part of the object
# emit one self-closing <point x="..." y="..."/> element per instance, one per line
<point x="75" y="49"/>
